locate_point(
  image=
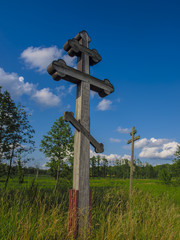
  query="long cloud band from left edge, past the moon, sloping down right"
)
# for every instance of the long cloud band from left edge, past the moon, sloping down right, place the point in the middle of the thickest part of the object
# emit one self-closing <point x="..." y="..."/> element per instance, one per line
<point x="17" y="87"/>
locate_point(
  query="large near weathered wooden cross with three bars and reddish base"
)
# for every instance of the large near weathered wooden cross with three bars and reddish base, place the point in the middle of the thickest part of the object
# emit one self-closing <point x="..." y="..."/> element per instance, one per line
<point x="79" y="46"/>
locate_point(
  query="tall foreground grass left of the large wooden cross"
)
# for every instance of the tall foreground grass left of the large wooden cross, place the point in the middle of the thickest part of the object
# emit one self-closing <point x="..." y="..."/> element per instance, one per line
<point x="33" y="214"/>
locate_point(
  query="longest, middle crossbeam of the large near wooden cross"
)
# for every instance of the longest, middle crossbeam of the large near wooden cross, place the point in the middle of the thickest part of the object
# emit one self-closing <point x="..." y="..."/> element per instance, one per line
<point x="59" y="70"/>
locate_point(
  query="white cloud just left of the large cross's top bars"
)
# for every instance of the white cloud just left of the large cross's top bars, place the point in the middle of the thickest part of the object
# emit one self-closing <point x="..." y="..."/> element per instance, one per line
<point x="39" y="58"/>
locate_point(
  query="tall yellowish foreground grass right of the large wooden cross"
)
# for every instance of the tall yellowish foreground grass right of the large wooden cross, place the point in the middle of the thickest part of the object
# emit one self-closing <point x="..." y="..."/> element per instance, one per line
<point x="141" y="217"/>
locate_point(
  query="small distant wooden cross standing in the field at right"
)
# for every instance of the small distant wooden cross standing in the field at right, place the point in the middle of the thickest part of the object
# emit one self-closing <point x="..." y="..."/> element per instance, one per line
<point x="132" y="140"/>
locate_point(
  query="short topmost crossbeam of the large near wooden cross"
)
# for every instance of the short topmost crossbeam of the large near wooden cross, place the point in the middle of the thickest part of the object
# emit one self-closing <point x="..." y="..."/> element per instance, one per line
<point x="73" y="48"/>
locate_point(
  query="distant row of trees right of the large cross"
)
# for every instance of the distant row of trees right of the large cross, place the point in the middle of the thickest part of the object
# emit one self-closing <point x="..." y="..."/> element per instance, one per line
<point x="120" y="168"/>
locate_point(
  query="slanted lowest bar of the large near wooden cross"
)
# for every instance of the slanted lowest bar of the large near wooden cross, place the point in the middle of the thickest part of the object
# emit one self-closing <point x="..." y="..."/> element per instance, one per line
<point x="69" y="117"/>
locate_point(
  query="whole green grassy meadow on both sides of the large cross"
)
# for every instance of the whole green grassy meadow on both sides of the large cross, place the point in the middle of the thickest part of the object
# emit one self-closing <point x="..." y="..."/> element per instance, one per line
<point x="32" y="211"/>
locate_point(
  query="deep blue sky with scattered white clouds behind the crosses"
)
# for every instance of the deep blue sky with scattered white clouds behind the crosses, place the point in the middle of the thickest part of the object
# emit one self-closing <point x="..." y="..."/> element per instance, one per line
<point x="139" y="45"/>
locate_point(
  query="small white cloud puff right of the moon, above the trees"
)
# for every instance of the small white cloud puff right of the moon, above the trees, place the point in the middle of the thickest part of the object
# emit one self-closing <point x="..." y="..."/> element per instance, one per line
<point x="46" y="97"/>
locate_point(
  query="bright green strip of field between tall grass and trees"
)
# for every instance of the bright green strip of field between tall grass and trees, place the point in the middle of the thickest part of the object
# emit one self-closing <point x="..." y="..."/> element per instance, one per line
<point x="152" y="186"/>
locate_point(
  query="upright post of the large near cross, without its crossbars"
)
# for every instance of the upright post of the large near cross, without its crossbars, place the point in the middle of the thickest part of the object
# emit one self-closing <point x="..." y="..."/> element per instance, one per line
<point x="81" y="142"/>
